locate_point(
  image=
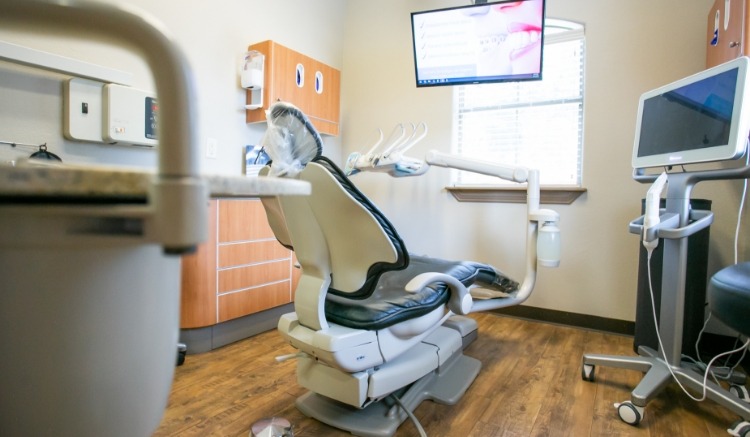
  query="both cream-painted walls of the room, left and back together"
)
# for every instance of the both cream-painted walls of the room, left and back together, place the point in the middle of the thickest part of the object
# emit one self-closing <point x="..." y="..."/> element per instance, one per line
<point x="632" y="46"/>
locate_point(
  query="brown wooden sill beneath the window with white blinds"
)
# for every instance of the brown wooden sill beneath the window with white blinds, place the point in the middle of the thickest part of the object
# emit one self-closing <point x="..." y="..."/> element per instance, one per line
<point x="549" y="195"/>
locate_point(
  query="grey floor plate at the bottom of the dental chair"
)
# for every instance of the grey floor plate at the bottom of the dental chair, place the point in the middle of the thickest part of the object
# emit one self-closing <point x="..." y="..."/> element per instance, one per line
<point x="445" y="385"/>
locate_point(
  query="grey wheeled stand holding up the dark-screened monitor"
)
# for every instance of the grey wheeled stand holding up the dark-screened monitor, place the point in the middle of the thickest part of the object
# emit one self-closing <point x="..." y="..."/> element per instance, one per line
<point x="661" y="366"/>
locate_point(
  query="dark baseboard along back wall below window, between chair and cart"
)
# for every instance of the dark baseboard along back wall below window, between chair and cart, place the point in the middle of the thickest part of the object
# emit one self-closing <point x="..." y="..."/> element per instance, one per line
<point x="566" y="318"/>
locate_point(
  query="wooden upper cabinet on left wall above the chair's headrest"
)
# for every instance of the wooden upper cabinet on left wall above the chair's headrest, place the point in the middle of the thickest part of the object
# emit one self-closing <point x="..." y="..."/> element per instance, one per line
<point x="311" y="85"/>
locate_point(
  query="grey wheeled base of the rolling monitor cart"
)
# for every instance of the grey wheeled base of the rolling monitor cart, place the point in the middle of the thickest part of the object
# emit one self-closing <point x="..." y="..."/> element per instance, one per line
<point x="658" y="376"/>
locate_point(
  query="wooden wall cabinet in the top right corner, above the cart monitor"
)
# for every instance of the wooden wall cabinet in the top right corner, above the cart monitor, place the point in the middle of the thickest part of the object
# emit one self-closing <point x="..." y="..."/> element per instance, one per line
<point x="727" y="32"/>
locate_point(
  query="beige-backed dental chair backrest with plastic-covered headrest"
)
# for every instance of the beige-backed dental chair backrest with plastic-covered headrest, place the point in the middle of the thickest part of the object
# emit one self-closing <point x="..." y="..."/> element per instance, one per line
<point x="342" y="242"/>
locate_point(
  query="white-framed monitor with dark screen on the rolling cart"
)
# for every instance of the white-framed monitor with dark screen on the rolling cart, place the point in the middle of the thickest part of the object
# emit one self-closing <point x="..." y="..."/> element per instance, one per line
<point x="701" y="118"/>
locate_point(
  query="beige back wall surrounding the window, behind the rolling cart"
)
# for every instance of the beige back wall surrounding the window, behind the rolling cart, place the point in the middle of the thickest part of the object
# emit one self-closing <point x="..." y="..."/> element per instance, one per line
<point x="632" y="46"/>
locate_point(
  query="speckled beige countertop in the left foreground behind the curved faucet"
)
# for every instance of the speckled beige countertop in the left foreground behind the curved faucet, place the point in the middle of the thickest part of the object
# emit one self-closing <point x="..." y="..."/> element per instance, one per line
<point x="41" y="180"/>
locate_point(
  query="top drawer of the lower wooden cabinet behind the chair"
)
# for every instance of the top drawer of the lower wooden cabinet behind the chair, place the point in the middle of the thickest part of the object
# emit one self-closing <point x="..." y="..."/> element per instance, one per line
<point x="243" y="220"/>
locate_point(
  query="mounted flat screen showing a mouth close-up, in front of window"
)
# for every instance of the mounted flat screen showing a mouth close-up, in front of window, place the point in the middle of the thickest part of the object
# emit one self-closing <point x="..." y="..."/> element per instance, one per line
<point x="484" y="42"/>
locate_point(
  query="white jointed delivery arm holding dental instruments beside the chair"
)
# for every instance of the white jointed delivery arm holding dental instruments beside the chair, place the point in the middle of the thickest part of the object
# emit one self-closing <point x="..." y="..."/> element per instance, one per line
<point x="542" y="234"/>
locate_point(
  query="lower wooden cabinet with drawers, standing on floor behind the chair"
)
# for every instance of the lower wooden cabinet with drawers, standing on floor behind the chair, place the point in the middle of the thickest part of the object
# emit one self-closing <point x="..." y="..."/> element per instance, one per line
<point x="240" y="270"/>
